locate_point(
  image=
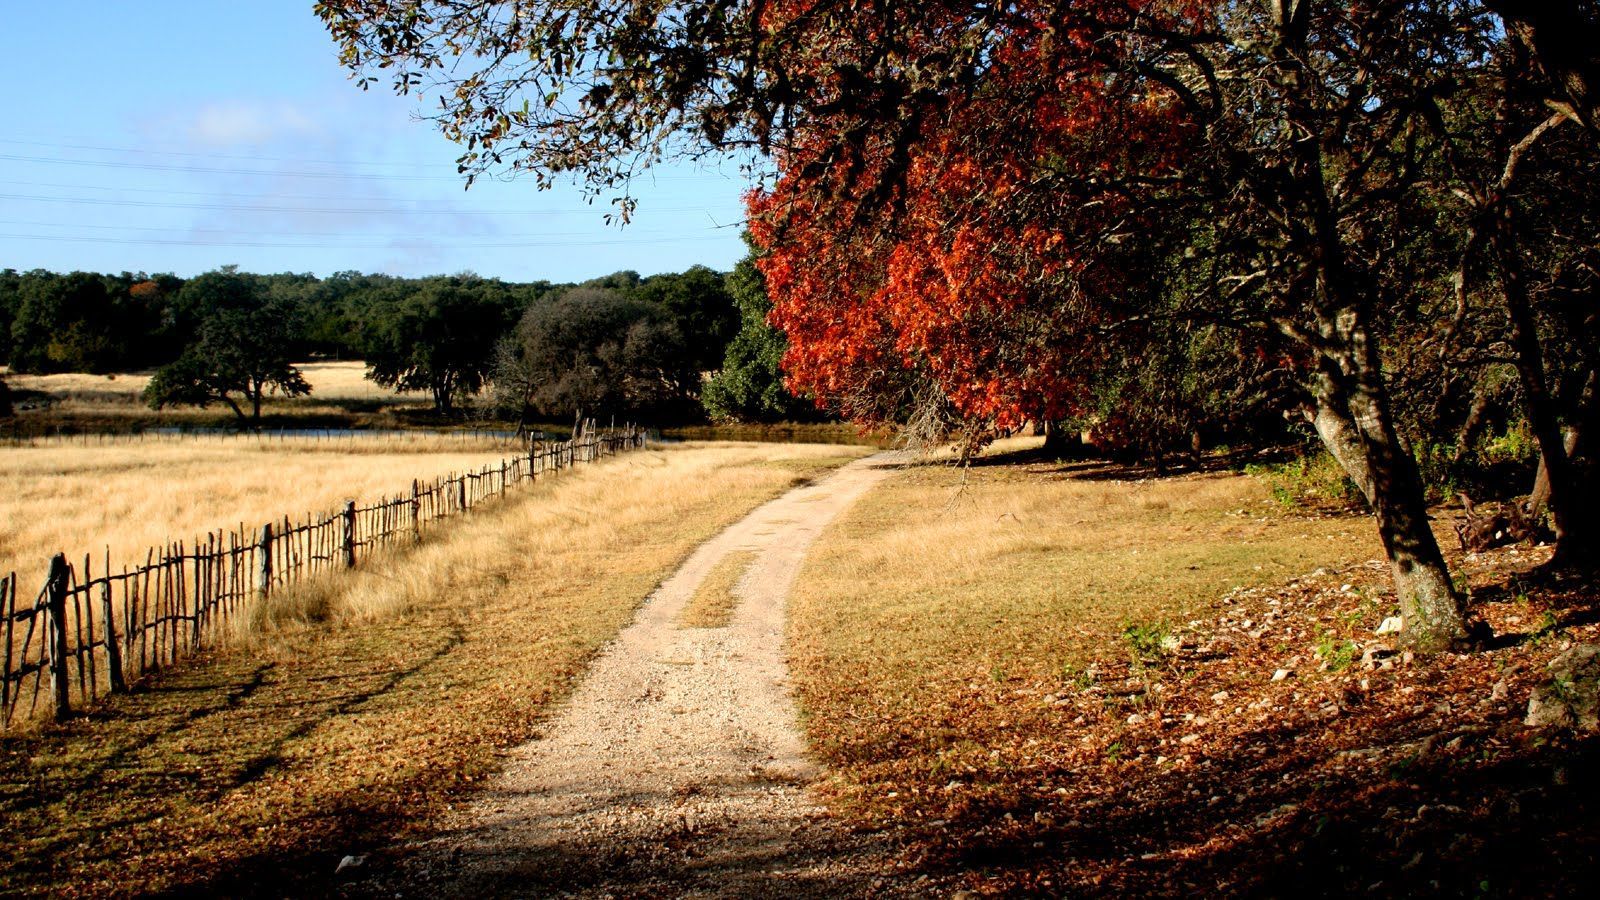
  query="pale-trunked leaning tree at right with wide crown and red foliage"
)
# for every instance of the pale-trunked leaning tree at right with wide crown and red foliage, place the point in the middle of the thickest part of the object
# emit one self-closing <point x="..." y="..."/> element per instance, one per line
<point x="983" y="209"/>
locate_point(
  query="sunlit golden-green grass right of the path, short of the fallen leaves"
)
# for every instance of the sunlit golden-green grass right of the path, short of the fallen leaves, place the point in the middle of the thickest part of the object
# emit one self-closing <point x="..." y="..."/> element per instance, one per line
<point x="937" y="598"/>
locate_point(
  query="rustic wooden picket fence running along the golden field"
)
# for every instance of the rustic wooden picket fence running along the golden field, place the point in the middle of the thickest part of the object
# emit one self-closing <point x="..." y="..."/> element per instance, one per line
<point x="87" y="635"/>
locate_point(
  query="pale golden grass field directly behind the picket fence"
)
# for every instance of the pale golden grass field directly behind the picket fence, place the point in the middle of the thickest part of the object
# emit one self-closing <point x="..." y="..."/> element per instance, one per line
<point x="62" y="497"/>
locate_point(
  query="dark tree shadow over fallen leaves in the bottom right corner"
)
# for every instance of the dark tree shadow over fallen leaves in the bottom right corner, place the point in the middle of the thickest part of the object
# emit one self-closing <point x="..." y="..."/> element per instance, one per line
<point x="1441" y="811"/>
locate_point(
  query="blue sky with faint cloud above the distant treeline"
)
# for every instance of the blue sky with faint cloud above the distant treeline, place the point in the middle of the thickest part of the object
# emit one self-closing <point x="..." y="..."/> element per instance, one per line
<point x="183" y="135"/>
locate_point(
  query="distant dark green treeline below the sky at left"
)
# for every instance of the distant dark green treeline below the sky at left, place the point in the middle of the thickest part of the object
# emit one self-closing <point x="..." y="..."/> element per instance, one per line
<point x="622" y="344"/>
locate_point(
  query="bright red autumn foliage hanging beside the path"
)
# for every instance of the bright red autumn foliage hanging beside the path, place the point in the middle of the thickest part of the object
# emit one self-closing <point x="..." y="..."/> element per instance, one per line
<point x="972" y="289"/>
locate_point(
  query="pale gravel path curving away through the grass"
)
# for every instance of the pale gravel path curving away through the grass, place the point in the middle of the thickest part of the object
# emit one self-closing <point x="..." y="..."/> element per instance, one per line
<point x="678" y="766"/>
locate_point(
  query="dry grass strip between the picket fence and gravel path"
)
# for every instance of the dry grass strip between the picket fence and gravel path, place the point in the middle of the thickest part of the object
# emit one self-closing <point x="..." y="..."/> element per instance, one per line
<point x="354" y="720"/>
